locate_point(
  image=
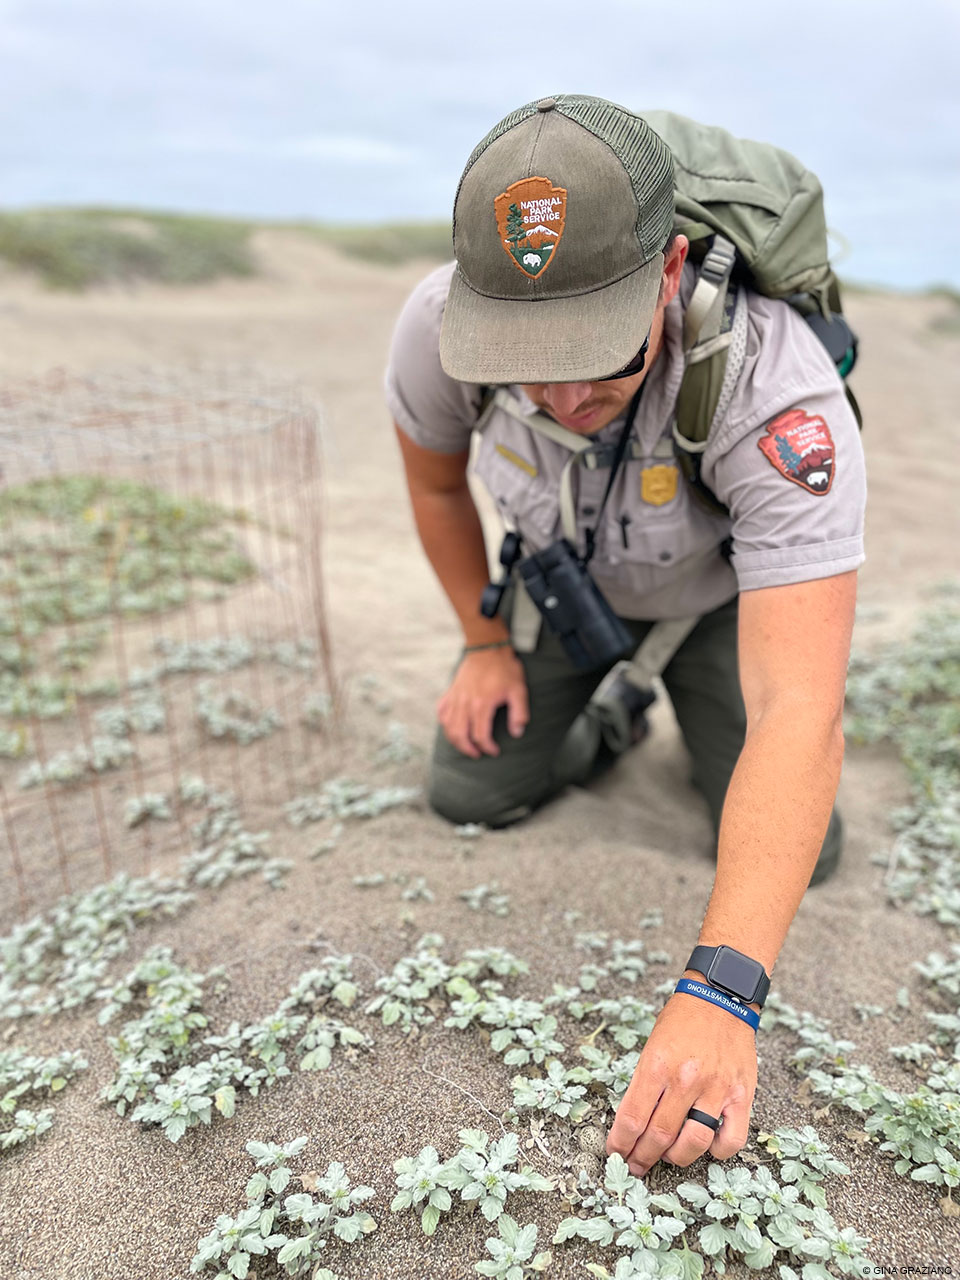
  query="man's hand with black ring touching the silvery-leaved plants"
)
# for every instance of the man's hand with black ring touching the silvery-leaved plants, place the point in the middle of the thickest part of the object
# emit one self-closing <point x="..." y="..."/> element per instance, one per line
<point x="697" y="1057"/>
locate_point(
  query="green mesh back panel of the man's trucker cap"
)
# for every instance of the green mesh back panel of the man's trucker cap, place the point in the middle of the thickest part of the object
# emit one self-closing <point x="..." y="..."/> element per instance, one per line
<point x="643" y="154"/>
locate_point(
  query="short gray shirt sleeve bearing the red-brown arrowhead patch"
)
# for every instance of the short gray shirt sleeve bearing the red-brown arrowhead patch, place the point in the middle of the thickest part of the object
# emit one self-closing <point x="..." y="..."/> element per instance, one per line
<point x="788" y="460"/>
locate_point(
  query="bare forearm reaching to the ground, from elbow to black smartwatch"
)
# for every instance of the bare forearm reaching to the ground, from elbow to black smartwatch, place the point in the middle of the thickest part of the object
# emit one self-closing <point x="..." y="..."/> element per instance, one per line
<point x="775" y="817"/>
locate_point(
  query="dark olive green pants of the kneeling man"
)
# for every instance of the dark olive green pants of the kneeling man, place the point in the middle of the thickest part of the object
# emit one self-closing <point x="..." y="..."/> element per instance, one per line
<point x="560" y="747"/>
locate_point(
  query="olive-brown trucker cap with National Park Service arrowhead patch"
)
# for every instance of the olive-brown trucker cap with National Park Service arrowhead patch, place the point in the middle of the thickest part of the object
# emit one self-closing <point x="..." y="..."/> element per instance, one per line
<point x="559" y="227"/>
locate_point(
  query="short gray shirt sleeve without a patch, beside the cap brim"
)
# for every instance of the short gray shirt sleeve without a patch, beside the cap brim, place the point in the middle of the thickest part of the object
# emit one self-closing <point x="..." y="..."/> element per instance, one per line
<point x="436" y="412"/>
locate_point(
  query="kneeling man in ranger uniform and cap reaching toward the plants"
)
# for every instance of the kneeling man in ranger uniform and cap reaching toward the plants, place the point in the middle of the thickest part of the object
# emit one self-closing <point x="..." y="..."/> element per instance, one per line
<point x="560" y="333"/>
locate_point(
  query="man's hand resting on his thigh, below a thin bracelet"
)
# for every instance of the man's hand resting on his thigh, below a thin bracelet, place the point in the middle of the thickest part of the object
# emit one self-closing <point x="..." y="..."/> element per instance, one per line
<point x="484" y="682"/>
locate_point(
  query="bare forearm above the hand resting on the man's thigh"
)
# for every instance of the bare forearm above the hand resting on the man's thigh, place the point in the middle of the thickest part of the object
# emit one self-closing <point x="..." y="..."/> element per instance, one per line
<point x="452" y="537"/>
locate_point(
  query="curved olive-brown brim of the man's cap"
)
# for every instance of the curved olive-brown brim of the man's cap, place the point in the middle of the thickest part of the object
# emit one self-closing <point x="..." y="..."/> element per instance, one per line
<point x="575" y="340"/>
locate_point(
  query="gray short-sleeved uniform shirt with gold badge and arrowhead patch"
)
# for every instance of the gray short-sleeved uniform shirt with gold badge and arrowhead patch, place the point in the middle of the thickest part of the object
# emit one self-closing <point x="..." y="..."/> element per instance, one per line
<point x="787" y="460"/>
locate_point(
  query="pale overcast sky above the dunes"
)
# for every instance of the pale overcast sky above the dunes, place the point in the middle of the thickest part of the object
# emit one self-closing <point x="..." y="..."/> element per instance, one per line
<point x="348" y="112"/>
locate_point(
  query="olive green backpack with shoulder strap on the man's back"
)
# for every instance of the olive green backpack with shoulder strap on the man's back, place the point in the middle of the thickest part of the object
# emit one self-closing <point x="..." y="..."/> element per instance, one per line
<point x="753" y="216"/>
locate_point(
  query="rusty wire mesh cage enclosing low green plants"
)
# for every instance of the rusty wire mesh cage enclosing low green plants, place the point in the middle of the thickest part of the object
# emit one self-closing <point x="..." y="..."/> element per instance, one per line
<point x="162" y="615"/>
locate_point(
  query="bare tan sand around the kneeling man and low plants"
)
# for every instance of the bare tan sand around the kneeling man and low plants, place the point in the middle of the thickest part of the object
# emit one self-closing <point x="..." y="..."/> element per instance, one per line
<point x="98" y="1199"/>
